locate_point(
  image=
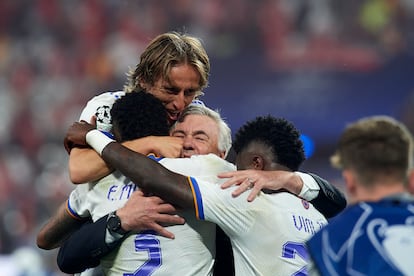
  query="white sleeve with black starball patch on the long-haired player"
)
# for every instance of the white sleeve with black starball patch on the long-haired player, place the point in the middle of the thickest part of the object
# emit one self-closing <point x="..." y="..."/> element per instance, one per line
<point x="100" y="106"/>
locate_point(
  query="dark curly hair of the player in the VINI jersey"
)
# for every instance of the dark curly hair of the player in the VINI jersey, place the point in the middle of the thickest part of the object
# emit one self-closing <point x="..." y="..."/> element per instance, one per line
<point x="277" y="133"/>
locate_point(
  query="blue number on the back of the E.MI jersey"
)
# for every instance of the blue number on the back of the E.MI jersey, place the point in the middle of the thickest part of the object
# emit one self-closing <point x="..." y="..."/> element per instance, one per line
<point x="146" y="241"/>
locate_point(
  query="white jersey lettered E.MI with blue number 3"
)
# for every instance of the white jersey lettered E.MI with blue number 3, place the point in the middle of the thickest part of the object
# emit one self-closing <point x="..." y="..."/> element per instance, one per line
<point x="190" y="253"/>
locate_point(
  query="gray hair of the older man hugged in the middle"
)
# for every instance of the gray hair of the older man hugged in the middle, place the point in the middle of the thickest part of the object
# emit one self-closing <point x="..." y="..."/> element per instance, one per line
<point x="224" y="138"/>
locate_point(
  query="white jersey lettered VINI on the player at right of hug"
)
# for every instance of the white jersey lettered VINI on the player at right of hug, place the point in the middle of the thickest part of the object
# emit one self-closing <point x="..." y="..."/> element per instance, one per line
<point x="267" y="235"/>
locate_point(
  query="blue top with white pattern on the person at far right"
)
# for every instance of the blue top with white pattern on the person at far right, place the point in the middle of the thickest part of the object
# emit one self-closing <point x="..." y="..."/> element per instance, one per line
<point x="374" y="238"/>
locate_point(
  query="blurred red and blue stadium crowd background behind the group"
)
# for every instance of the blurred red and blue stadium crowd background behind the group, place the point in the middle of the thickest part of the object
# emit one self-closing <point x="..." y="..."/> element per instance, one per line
<point x="318" y="63"/>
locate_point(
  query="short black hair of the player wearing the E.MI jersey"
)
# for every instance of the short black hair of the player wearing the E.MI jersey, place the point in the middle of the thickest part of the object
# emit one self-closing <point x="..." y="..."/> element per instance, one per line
<point x="137" y="115"/>
